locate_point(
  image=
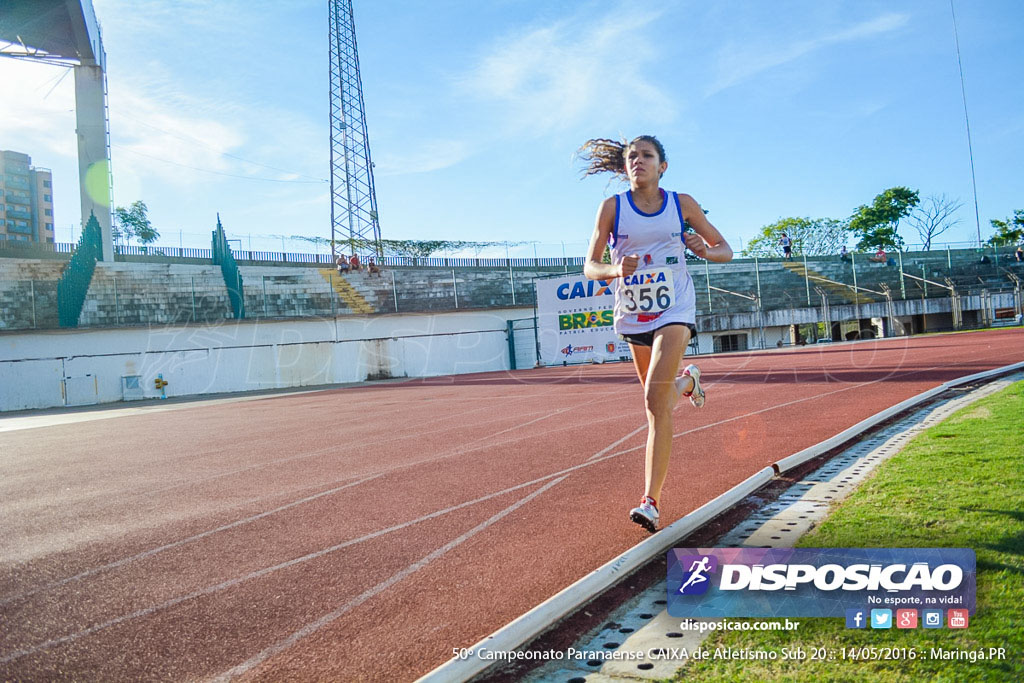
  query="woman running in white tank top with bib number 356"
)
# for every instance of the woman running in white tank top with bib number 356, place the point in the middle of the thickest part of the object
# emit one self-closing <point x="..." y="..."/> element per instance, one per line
<point x="656" y="307"/>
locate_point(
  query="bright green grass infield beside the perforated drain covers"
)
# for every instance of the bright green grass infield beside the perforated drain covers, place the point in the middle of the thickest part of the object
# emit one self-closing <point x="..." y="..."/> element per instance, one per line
<point x="960" y="485"/>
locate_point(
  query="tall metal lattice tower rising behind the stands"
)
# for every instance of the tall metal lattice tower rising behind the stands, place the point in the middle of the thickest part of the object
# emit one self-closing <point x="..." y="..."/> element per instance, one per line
<point x="354" y="200"/>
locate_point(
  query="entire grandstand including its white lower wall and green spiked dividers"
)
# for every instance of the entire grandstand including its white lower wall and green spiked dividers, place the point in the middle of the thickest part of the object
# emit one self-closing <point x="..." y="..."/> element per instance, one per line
<point x="80" y="331"/>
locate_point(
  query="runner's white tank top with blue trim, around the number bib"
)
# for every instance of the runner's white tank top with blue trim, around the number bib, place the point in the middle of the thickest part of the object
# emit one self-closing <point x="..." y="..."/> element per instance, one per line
<point x="658" y="239"/>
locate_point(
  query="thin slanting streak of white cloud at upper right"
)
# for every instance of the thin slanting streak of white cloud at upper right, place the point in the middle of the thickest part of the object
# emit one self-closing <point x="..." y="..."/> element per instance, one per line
<point x="739" y="64"/>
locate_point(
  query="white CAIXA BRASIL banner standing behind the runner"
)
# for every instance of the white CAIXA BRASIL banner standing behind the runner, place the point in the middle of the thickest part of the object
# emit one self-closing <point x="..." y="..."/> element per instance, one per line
<point x="575" y="321"/>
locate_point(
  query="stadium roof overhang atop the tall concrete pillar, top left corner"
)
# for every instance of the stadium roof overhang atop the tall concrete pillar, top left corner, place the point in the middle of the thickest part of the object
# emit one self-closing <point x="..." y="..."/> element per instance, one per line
<point x="63" y="32"/>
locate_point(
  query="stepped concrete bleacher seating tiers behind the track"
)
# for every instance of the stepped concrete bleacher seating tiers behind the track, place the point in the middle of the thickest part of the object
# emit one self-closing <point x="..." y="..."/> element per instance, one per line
<point x="162" y="291"/>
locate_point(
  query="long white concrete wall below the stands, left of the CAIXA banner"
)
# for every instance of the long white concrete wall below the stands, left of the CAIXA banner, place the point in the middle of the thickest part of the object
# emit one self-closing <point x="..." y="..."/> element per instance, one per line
<point x="55" y="368"/>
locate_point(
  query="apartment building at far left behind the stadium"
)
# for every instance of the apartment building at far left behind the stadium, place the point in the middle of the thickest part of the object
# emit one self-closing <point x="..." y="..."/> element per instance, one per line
<point x="26" y="199"/>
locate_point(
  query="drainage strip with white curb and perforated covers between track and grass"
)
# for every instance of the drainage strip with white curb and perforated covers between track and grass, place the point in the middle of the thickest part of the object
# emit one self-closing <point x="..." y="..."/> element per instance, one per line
<point x="621" y="608"/>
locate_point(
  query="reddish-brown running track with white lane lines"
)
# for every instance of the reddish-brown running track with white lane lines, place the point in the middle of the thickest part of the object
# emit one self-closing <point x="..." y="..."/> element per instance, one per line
<point x="362" y="534"/>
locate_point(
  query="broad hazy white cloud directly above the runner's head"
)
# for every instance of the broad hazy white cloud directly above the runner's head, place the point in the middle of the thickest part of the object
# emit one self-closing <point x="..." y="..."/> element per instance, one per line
<point x="577" y="72"/>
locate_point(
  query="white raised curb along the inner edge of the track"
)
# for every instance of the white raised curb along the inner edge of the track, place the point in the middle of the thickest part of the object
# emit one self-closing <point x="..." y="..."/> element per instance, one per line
<point x="540" y="619"/>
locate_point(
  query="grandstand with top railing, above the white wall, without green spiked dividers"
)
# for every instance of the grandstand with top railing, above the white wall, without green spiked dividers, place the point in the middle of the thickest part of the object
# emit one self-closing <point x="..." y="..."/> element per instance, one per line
<point x="170" y="286"/>
